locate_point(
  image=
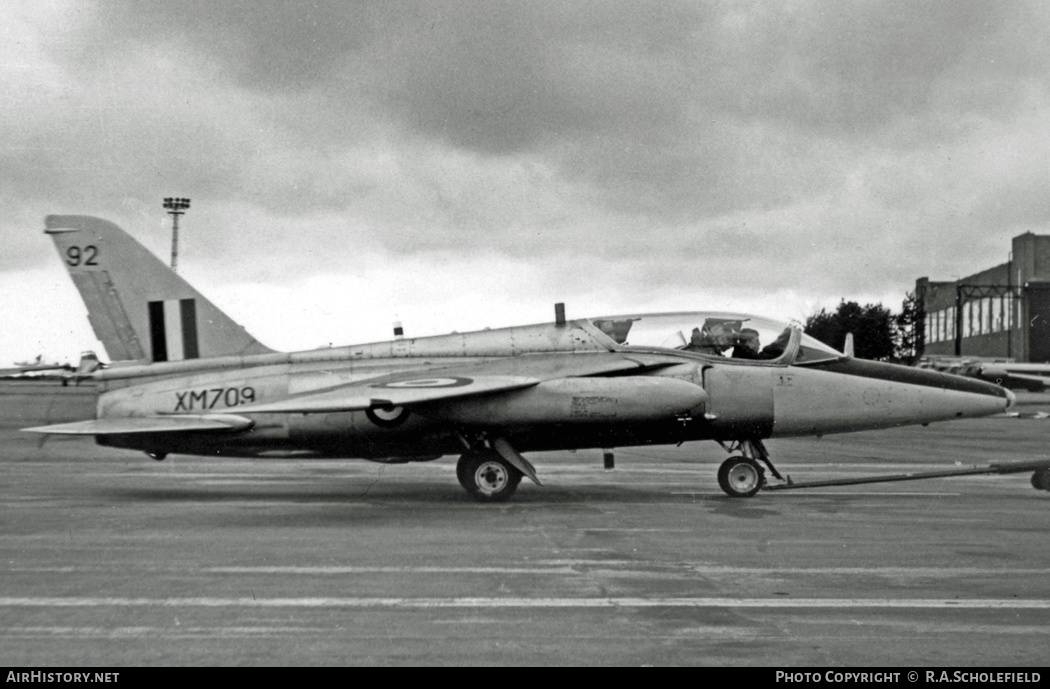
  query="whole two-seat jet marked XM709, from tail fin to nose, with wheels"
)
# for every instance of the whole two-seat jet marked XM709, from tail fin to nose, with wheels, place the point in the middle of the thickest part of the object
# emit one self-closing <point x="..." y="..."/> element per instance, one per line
<point x="188" y="380"/>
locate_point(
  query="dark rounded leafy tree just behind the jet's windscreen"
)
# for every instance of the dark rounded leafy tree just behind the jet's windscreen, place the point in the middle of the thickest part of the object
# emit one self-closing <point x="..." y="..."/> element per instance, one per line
<point x="873" y="327"/>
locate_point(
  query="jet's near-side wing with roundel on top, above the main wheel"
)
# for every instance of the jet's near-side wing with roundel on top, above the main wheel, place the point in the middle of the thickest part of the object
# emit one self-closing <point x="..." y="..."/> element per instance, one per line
<point x="383" y="393"/>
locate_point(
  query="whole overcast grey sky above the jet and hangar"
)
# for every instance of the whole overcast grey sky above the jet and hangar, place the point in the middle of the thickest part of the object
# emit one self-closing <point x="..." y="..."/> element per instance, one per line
<point x="456" y="165"/>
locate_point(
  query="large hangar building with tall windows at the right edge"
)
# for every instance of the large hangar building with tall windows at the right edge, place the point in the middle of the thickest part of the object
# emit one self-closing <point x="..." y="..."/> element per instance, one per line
<point x="1000" y="312"/>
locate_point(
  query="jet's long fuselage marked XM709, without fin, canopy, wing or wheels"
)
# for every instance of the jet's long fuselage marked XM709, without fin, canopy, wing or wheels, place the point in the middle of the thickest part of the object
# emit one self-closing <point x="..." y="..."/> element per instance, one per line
<point x="641" y="403"/>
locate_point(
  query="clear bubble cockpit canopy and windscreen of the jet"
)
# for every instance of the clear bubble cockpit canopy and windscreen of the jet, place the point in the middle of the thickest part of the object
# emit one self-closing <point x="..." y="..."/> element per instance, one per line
<point x="734" y="336"/>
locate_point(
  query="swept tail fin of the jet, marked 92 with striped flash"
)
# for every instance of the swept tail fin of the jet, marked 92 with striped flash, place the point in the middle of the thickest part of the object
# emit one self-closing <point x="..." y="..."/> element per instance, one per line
<point x="140" y="309"/>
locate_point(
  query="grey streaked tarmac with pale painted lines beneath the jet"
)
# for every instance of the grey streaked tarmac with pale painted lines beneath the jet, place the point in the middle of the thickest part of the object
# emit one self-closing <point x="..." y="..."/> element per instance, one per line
<point x="111" y="559"/>
